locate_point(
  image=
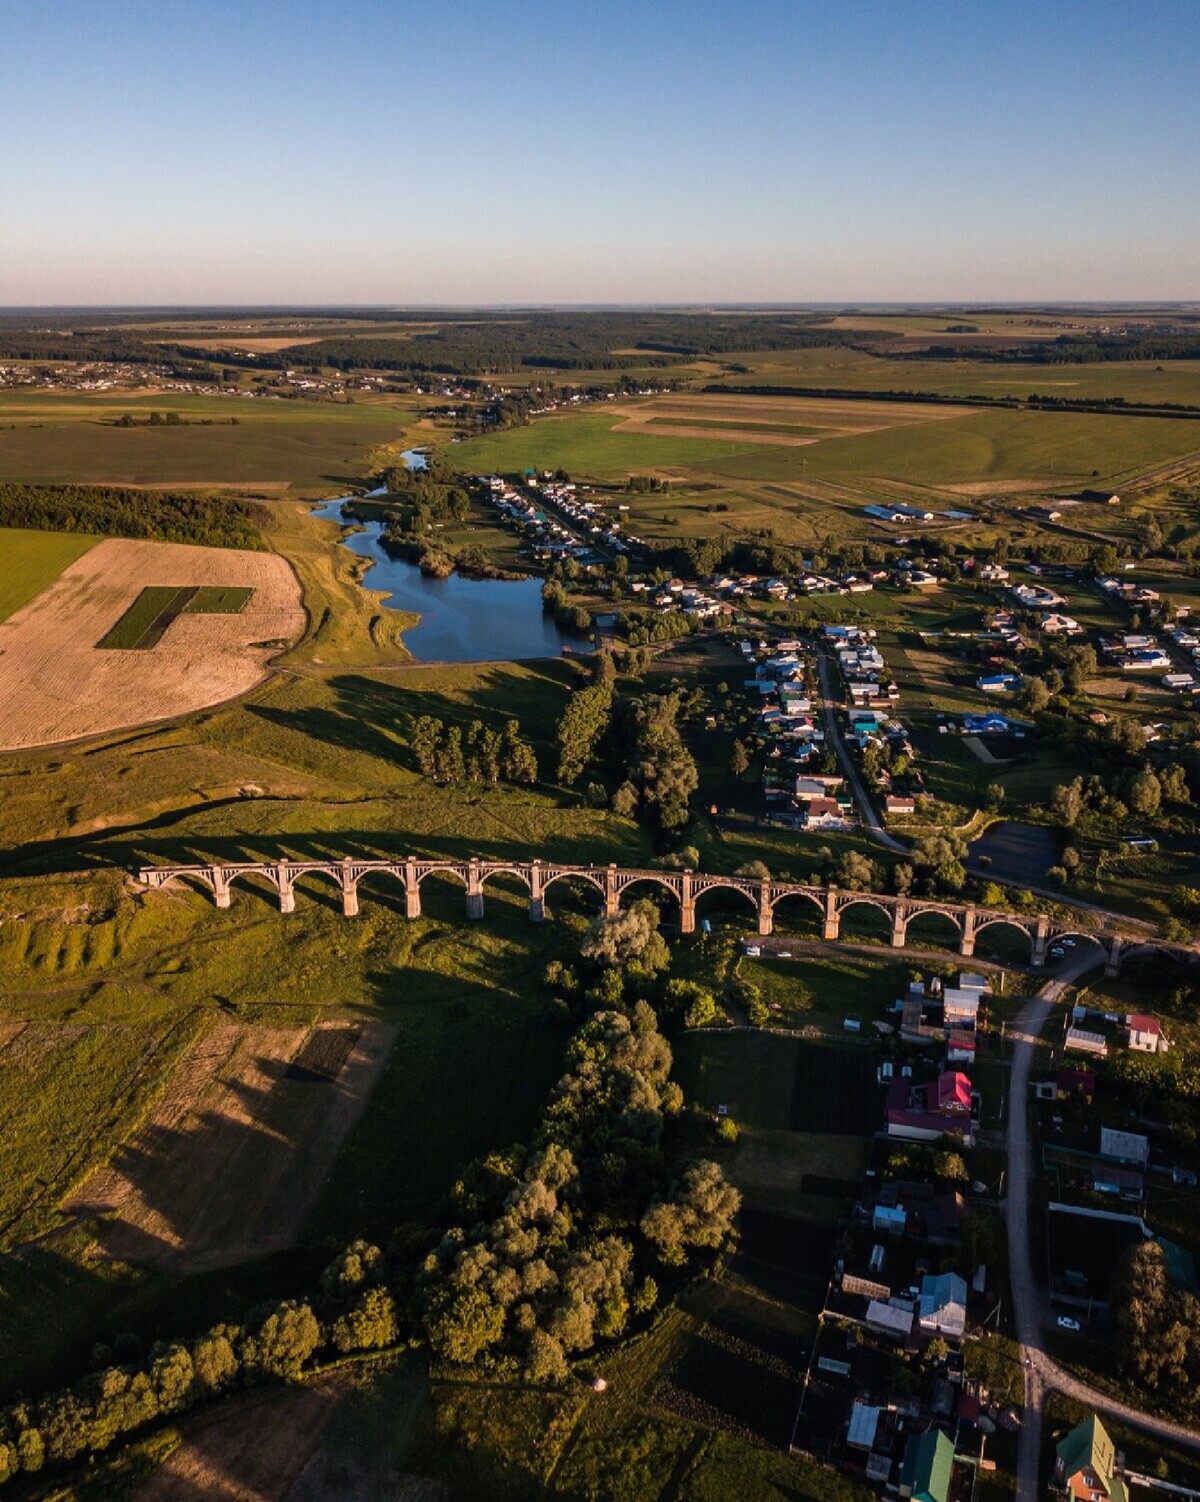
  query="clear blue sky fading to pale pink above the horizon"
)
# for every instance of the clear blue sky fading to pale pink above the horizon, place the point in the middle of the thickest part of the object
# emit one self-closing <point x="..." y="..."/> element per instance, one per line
<point x="361" y="151"/>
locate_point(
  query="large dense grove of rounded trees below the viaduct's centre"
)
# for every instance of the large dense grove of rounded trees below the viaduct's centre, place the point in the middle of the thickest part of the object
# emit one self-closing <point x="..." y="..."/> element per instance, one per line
<point x="558" y="1246"/>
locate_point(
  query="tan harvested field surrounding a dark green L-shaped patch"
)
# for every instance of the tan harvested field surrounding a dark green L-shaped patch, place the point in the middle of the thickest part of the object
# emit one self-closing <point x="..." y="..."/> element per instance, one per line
<point x="58" y="686"/>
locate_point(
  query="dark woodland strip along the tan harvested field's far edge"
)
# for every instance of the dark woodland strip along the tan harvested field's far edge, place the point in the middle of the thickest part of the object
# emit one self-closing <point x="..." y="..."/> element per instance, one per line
<point x="216" y="522"/>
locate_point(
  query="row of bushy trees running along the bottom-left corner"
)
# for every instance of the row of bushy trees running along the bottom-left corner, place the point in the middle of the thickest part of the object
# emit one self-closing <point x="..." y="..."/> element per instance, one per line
<point x="352" y="1312"/>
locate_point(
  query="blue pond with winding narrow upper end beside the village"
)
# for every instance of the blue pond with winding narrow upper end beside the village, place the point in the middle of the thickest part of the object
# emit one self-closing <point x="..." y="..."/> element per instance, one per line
<point x="462" y="620"/>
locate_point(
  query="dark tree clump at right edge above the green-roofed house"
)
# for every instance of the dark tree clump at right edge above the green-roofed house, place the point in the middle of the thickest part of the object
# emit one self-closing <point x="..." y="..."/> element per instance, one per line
<point x="1157" y="1326"/>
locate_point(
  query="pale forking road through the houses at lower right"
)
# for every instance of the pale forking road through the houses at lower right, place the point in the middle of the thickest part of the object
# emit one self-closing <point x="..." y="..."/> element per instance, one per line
<point x="1043" y="1375"/>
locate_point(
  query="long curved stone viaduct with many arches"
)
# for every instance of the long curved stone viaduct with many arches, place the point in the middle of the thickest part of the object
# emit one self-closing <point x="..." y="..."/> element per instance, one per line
<point x="614" y="882"/>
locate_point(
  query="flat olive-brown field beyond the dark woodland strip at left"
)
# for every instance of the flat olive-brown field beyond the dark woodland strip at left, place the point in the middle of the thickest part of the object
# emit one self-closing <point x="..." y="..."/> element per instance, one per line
<point x="307" y="447"/>
